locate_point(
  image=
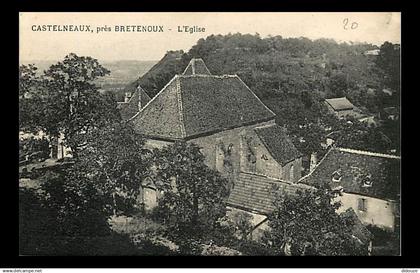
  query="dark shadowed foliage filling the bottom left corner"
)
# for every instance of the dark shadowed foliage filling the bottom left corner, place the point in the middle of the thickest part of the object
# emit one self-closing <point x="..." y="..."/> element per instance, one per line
<point x="40" y="234"/>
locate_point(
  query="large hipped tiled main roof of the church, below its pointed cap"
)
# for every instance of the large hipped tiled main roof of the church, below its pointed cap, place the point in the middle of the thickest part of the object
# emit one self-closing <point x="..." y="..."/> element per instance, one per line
<point x="192" y="105"/>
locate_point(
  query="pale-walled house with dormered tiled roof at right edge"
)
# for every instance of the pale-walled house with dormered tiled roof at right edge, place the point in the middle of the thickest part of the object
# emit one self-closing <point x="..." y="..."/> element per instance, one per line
<point x="370" y="184"/>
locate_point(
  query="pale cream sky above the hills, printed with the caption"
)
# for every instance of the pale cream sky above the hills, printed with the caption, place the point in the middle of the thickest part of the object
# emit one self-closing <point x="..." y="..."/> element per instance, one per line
<point x="374" y="28"/>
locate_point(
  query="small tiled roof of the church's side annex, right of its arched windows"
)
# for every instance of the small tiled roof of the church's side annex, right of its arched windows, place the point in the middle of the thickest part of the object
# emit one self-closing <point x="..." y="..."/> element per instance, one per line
<point x="278" y="143"/>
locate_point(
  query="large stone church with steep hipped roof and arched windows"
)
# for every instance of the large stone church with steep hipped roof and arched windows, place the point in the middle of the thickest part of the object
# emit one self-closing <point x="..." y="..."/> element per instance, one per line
<point x="237" y="133"/>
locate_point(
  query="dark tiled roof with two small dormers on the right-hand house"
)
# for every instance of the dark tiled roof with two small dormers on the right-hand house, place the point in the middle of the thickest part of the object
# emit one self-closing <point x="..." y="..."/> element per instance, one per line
<point x="366" y="173"/>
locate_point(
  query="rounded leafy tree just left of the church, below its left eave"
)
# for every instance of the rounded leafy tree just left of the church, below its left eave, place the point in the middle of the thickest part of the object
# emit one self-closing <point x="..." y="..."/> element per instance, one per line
<point x="116" y="161"/>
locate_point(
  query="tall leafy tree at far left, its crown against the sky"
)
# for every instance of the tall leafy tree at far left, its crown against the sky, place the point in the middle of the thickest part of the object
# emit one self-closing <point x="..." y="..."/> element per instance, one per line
<point x="66" y="100"/>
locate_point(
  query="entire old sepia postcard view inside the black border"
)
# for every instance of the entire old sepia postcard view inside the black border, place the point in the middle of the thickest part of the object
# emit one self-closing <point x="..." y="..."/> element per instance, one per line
<point x="209" y="134"/>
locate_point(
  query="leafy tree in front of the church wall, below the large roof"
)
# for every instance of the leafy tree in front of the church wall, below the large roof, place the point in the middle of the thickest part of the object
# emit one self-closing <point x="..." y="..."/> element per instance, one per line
<point x="194" y="195"/>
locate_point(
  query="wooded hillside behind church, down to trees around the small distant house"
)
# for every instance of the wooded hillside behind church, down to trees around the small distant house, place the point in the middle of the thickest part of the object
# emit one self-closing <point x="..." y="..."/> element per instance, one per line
<point x="293" y="76"/>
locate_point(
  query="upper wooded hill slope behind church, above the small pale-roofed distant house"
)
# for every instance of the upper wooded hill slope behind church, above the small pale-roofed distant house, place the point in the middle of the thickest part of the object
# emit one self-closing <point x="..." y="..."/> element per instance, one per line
<point x="275" y="65"/>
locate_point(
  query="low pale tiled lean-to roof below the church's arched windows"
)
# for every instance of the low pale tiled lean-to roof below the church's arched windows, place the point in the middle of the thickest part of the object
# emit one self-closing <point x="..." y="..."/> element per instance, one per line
<point x="257" y="193"/>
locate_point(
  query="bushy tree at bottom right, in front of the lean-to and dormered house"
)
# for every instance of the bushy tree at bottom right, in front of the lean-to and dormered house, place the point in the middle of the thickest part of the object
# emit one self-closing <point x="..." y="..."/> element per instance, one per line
<point x="308" y="224"/>
